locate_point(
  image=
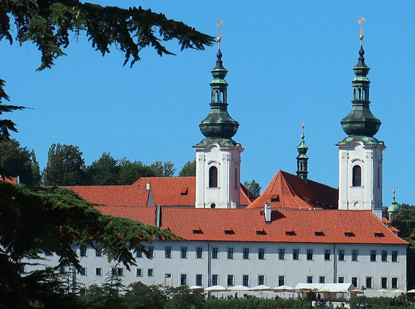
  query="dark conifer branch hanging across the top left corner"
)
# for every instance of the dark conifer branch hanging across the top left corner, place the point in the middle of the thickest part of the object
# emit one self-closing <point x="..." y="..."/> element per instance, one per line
<point x="52" y="24"/>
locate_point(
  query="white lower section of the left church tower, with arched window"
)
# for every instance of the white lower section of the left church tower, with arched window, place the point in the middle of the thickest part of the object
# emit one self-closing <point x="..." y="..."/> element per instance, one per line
<point x="218" y="176"/>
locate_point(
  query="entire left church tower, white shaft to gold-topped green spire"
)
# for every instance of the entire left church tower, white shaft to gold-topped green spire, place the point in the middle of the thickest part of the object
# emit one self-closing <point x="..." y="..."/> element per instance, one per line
<point x="218" y="156"/>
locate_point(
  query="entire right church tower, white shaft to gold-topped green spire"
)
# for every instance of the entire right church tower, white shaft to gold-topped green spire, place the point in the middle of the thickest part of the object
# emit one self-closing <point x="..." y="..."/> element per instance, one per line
<point x="360" y="153"/>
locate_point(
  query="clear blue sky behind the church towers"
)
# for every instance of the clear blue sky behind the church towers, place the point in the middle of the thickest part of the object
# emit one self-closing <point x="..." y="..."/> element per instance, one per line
<point x="289" y="62"/>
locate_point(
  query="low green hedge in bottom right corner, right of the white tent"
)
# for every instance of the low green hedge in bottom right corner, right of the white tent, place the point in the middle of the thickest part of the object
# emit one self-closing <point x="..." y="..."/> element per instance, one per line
<point x="379" y="302"/>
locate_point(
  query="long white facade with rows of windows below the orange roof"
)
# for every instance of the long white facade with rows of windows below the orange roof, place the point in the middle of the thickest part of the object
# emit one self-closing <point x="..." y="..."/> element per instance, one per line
<point x="176" y="263"/>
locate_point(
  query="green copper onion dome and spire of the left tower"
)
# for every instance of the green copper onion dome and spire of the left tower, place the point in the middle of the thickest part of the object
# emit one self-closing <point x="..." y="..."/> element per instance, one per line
<point x="218" y="124"/>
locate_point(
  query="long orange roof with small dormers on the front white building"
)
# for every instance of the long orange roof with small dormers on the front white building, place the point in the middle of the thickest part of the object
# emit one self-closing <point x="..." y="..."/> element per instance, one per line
<point x="287" y="225"/>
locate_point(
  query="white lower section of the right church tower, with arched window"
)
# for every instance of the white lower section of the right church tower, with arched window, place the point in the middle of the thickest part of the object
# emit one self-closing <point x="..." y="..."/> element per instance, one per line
<point x="366" y="193"/>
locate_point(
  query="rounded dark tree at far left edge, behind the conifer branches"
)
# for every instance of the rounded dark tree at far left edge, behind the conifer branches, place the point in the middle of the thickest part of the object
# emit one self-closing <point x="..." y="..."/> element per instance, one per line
<point x="18" y="161"/>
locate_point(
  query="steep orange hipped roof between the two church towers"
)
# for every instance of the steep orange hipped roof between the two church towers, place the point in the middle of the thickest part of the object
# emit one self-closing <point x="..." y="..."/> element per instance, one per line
<point x="289" y="191"/>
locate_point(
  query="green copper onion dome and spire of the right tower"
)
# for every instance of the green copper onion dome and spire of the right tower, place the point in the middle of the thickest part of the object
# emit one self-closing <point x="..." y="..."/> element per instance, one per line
<point x="360" y="121"/>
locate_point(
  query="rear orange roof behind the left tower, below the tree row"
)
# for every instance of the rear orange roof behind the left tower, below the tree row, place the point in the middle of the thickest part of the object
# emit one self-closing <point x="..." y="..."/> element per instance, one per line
<point x="166" y="191"/>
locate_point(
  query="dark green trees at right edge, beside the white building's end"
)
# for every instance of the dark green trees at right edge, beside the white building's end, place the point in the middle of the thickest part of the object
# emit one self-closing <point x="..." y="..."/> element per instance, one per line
<point x="405" y="222"/>
